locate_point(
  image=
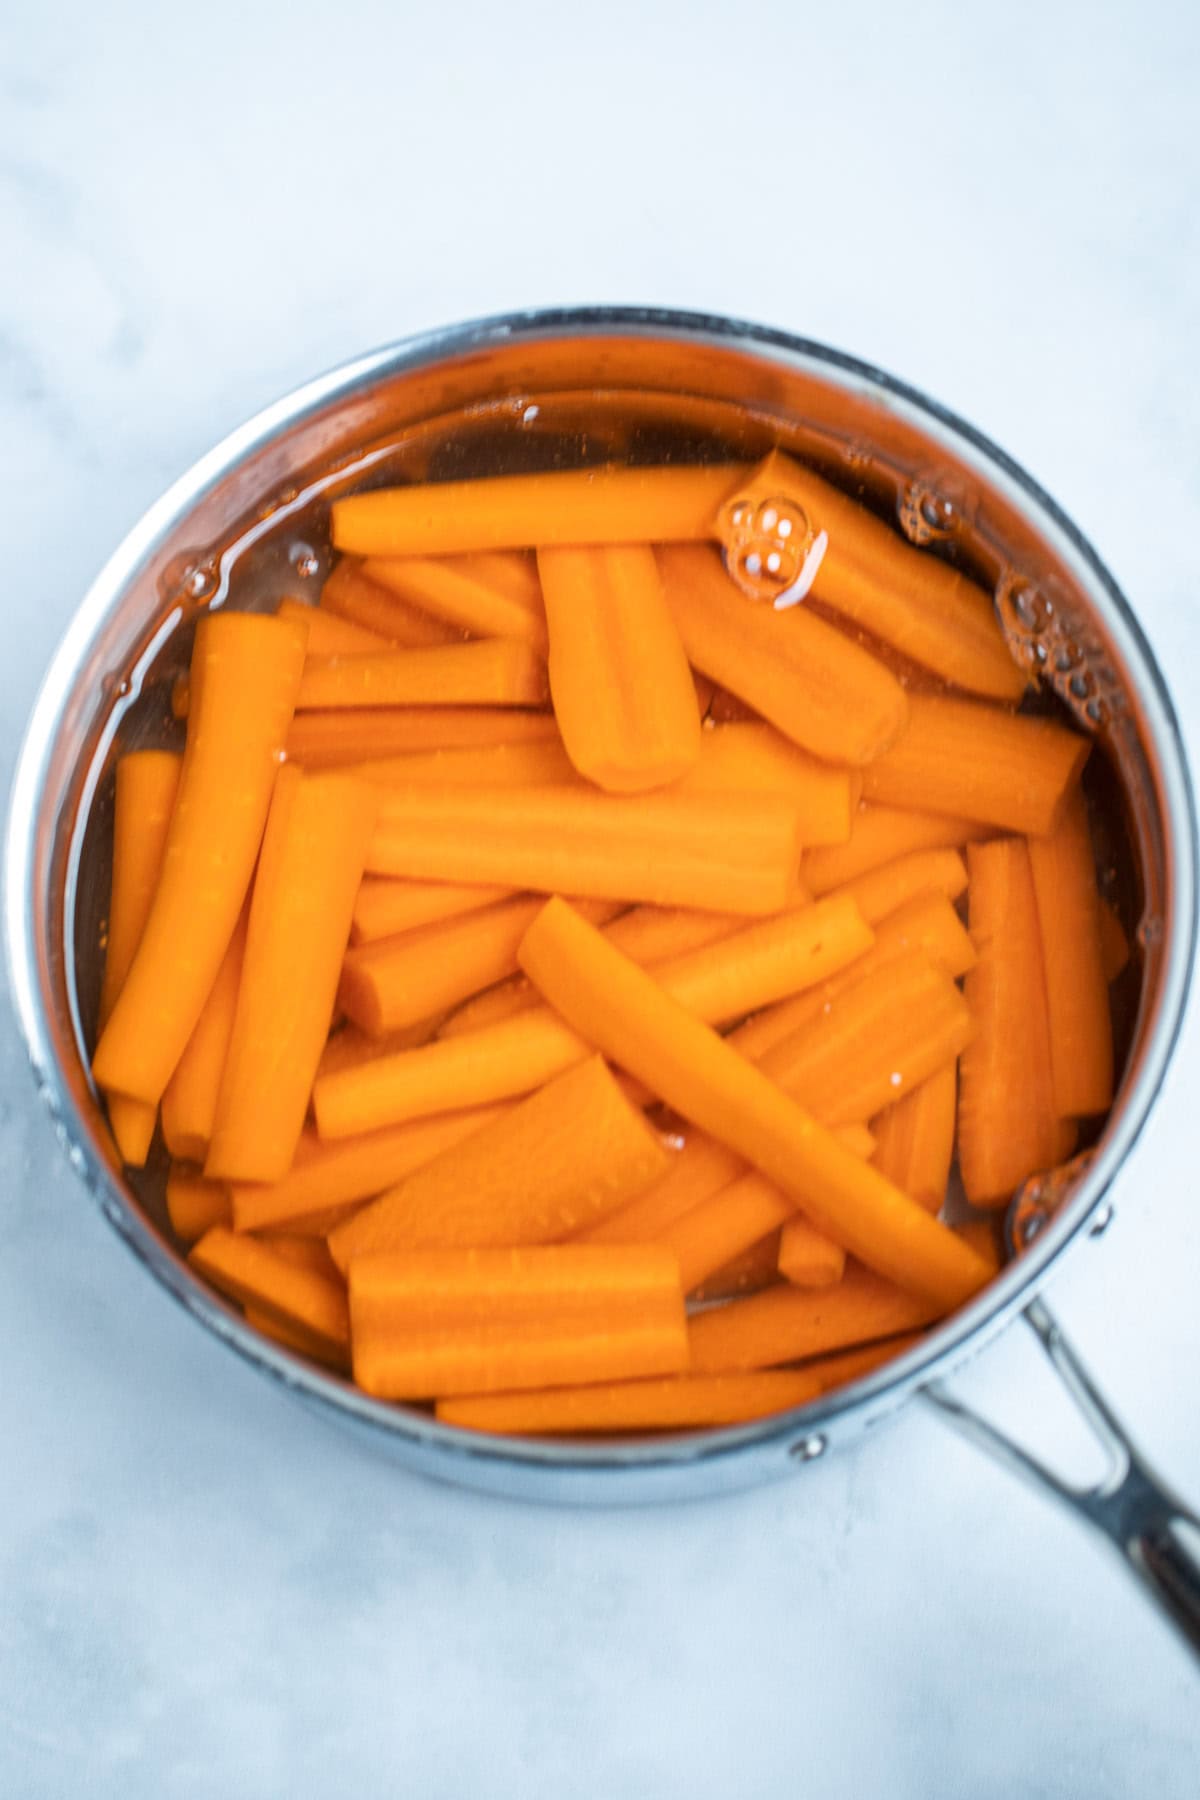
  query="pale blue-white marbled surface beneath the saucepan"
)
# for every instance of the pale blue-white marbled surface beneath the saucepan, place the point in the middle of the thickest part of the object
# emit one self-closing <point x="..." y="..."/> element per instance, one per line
<point x="204" y="1592"/>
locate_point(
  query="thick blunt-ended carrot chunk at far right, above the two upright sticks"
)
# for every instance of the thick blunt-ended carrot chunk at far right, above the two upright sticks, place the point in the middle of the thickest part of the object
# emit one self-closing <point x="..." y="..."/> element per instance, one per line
<point x="978" y="762"/>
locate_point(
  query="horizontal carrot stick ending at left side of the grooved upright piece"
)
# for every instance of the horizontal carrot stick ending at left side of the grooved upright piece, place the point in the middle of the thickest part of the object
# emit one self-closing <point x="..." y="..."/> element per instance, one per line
<point x="497" y="672"/>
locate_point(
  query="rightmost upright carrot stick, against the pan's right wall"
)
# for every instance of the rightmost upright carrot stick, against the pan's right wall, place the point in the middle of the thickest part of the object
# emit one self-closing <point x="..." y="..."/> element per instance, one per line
<point x="1073" y="960"/>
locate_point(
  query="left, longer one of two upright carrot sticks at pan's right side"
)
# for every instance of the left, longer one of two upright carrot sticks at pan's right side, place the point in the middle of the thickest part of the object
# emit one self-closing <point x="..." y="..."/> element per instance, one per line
<point x="1007" y="1111"/>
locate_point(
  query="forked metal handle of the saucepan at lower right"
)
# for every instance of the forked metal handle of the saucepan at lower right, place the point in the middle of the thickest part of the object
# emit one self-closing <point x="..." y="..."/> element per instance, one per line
<point x="1133" y="1507"/>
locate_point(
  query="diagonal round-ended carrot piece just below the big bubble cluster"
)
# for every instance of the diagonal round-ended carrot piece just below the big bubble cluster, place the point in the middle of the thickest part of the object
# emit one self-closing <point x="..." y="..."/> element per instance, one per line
<point x="810" y="681"/>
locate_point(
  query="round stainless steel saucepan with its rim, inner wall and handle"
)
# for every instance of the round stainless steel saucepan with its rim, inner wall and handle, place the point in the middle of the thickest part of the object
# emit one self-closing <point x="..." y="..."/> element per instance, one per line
<point x="643" y="386"/>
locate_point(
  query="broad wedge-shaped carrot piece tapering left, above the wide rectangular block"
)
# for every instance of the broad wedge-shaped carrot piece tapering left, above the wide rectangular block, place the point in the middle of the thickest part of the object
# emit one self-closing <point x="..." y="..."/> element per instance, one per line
<point x="542" y="1171"/>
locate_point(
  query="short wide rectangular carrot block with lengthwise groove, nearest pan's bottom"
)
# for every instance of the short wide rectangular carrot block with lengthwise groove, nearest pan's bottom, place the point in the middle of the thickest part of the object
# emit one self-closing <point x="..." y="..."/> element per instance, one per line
<point x="438" y="1322"/>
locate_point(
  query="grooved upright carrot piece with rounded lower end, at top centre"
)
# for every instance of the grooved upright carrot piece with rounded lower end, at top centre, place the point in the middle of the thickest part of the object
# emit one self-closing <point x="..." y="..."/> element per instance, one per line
<point x="620" y="679"/>
